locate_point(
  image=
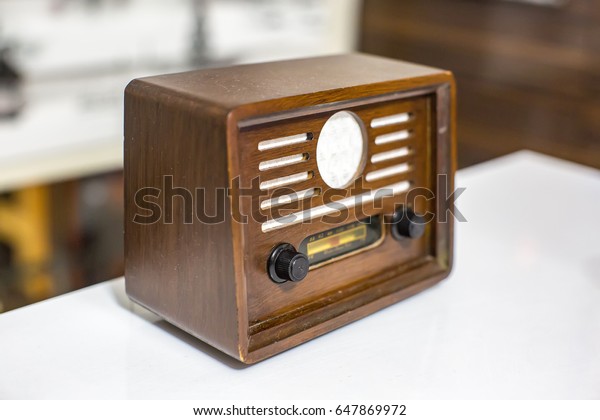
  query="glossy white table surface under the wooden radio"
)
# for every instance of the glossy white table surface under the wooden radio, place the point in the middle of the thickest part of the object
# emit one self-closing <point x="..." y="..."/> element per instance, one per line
<point x="518" y="318"/>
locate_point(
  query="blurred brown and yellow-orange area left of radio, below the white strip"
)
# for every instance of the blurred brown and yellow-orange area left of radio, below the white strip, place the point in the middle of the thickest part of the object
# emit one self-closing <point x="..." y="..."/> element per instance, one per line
<point x="58" y="237"/>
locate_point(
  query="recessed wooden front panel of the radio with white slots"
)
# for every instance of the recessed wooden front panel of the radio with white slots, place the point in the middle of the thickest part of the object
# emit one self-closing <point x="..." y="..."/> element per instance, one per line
<point x="293" y="203"/>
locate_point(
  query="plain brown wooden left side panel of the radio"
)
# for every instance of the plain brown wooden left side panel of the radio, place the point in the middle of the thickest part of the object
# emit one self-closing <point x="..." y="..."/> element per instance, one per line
<point x="178" y="259"/>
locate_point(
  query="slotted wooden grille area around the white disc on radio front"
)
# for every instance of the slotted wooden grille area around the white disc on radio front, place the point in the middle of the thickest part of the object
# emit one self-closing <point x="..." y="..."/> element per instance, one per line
<point x="289" y="173"/>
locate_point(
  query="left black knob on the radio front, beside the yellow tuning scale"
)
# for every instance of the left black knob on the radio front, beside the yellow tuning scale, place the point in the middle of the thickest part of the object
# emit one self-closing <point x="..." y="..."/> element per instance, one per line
<point x="287" y="264"/>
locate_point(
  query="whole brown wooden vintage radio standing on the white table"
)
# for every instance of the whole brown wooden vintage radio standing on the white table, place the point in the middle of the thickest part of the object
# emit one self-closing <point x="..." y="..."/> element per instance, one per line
<point x="268" y="204"/>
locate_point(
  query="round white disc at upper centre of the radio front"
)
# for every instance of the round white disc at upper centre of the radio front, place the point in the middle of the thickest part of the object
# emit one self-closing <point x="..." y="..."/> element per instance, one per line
<point x="341" y="149"/>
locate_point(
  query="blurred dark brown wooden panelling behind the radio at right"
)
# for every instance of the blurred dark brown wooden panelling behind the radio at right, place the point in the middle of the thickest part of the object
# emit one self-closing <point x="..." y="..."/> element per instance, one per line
<point x="528" y="75"/>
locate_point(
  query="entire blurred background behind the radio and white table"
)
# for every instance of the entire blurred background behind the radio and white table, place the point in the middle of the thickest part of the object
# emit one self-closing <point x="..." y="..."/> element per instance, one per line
<point x="528" y="74"/>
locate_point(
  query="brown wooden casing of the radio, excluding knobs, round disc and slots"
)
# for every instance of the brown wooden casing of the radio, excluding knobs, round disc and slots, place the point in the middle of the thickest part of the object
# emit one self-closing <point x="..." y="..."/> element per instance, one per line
<point x="203" y="128"/>
